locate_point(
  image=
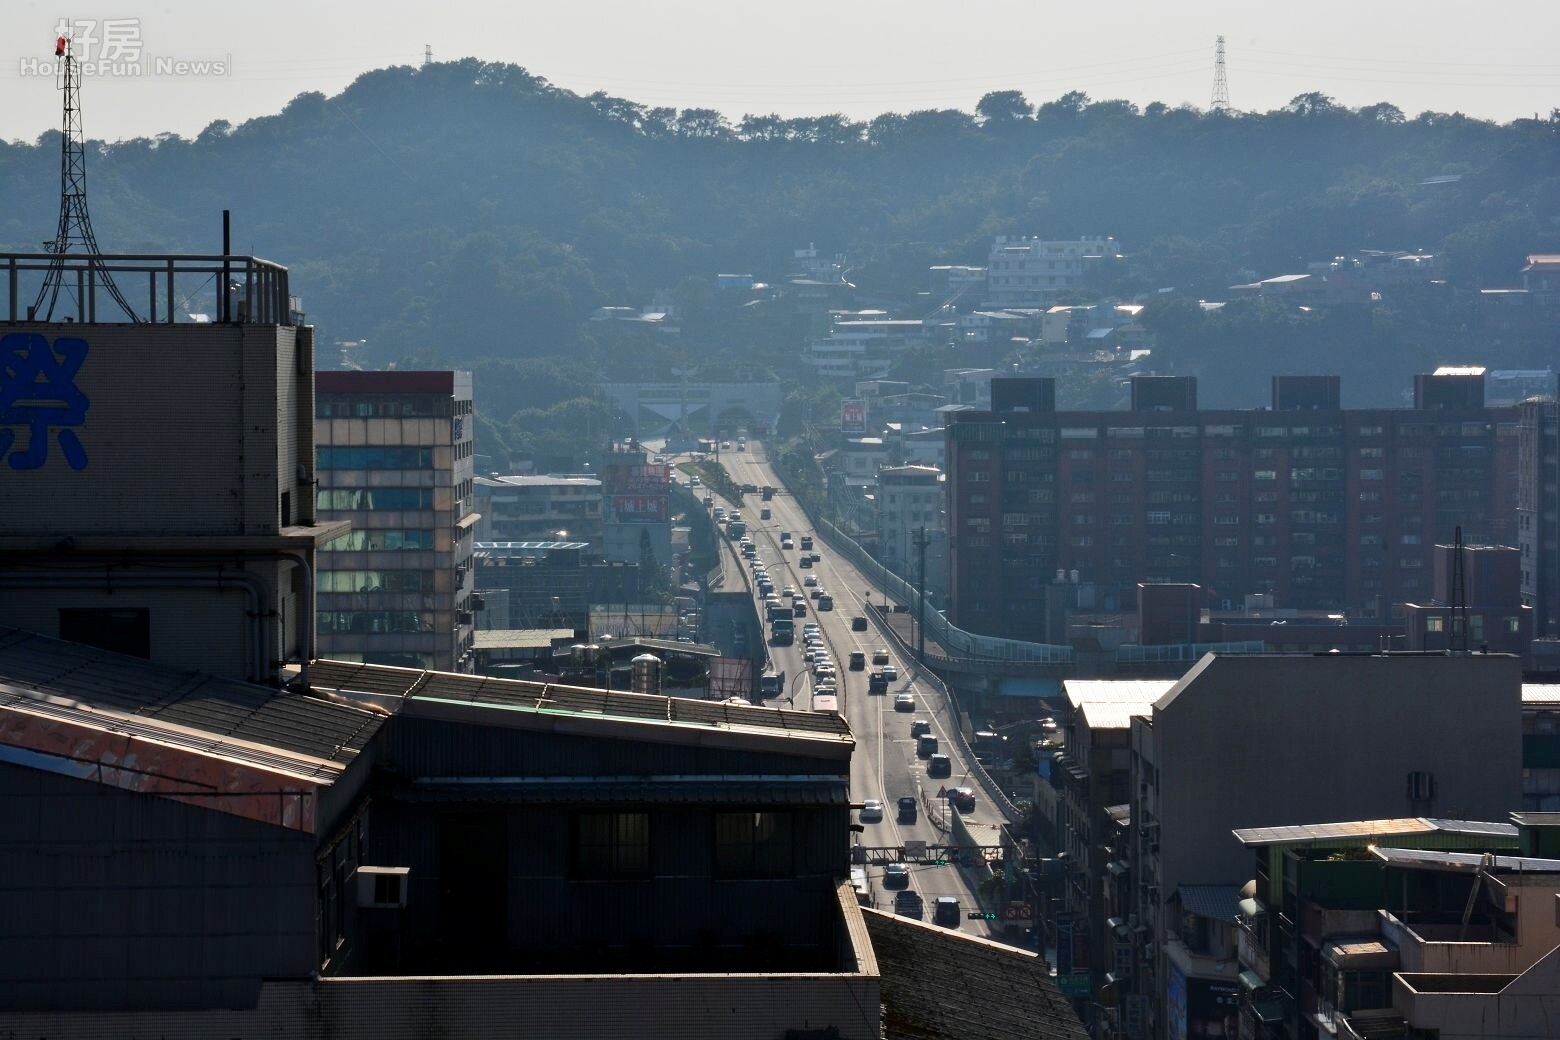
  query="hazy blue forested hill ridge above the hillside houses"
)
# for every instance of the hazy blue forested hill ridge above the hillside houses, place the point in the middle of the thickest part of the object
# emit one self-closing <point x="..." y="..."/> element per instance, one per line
<point x="470" y="210"/>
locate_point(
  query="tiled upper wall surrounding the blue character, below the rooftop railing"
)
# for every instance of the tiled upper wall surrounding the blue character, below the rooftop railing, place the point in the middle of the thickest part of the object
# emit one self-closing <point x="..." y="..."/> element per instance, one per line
<point x="188" y="430"/>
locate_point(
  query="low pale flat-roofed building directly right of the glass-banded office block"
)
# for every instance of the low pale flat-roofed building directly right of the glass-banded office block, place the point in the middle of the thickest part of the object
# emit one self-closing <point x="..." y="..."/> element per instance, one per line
<point x="541" y="509"/>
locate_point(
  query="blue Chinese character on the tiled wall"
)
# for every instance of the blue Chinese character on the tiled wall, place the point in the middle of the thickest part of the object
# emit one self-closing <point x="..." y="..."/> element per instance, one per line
<point x="40" y="394"/>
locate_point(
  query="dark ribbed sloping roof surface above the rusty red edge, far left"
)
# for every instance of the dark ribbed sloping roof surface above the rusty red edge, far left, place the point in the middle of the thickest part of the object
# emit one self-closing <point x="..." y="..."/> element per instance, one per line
<point x="233" y="713"/>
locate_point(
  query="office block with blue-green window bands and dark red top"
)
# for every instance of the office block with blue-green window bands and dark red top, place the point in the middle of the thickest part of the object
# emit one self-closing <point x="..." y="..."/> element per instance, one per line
<point x="395" y="455"/>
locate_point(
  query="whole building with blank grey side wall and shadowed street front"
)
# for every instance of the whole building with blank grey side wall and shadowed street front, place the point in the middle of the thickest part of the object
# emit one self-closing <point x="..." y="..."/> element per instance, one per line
<point x="1299" y="738"/>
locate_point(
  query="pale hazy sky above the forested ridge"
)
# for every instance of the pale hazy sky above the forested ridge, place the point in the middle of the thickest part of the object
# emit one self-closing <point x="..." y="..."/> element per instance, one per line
<point x="1495" y="60"/>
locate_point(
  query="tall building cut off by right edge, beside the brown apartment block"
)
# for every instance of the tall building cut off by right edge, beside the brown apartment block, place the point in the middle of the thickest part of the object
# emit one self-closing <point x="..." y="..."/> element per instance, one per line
<point x="1539" y="512"/>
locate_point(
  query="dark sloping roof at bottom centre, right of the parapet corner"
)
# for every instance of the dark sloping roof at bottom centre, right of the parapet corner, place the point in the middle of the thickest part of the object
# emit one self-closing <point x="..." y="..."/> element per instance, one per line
<point x="931" y="972"/>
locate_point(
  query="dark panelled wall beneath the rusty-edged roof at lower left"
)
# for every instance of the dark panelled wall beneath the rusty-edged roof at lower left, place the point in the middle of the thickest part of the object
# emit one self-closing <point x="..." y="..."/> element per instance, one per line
<point x="113" y="900"/>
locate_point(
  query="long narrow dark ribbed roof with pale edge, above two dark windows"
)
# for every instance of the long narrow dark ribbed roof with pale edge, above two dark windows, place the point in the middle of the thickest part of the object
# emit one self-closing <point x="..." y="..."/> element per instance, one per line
<point x="580" y="710"/>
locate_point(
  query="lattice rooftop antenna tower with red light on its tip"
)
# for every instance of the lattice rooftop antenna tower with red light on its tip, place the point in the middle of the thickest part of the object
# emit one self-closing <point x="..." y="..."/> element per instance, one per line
<point x="76" y="224"/>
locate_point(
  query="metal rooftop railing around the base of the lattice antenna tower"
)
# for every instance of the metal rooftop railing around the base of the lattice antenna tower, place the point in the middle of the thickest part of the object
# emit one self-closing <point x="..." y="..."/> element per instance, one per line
<point x="161" y="289"/>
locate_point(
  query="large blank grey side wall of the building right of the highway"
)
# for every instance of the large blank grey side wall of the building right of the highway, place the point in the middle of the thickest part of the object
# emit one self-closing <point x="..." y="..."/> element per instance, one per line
<point x="1266" y="741"/>
